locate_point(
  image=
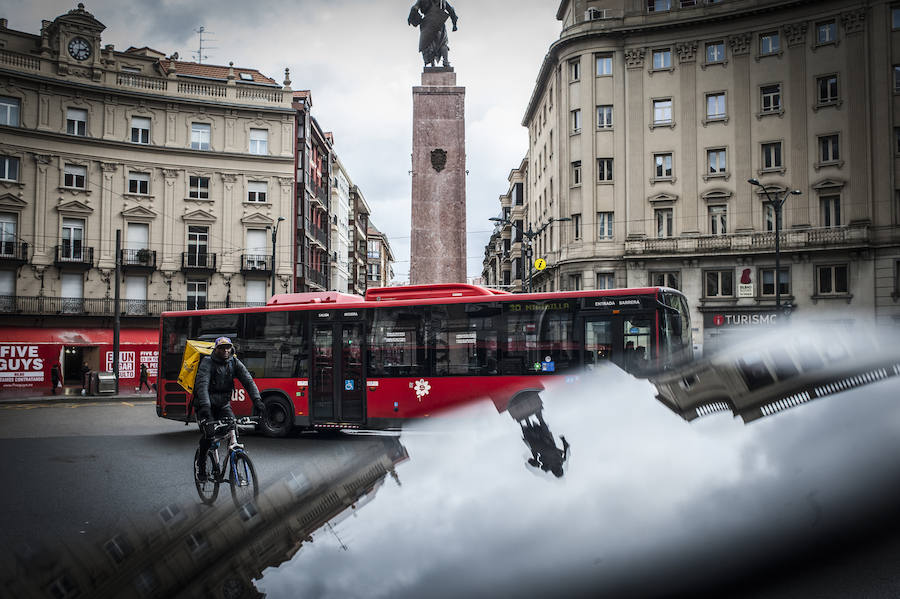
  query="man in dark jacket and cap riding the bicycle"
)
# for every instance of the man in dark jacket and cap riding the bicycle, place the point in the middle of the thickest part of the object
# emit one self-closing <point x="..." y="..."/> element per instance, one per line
<point x="213" y="389"/>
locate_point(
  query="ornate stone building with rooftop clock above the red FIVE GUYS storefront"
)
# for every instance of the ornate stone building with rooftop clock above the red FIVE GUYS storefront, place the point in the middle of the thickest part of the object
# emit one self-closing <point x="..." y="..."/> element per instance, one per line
<point x="192" y="163"/>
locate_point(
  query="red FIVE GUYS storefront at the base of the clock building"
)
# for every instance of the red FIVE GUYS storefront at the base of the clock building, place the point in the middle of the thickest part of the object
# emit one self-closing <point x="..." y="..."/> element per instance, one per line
<point x="27" y="355"/>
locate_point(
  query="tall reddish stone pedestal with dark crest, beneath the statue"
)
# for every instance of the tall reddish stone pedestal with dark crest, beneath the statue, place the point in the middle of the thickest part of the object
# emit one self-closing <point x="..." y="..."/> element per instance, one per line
<point x="438" y="240"/>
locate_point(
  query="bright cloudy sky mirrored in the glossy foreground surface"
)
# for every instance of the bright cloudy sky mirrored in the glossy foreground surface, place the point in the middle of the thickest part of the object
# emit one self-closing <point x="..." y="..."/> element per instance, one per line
<point x="645" y="496"/>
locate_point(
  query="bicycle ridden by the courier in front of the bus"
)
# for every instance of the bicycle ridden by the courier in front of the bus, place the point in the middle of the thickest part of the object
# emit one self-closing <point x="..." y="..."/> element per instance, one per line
<point x="243" y="481"/>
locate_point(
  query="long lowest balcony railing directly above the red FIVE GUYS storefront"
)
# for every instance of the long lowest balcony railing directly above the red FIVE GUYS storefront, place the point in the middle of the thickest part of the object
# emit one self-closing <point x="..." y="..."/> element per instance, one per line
<point x="19" y="304"/>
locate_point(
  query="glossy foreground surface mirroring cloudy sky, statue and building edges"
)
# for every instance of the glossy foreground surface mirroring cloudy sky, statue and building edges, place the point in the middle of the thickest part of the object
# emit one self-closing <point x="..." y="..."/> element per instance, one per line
<point x="593" y="488"/>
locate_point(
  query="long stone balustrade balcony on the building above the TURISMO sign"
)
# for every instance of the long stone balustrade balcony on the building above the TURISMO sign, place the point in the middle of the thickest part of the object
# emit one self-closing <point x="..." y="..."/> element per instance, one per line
<point x="739" y="243"/>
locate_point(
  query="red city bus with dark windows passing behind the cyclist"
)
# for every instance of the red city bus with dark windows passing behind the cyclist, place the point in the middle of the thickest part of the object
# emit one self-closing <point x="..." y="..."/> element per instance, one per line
<point x="333" y="360"/>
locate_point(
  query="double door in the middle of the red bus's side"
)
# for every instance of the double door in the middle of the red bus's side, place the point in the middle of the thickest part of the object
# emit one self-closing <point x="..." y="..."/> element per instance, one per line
<point x="337" y="386"/>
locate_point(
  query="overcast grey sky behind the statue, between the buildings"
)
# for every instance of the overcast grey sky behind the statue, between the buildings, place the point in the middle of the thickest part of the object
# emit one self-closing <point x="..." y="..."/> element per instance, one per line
<point x="359" y="59"/>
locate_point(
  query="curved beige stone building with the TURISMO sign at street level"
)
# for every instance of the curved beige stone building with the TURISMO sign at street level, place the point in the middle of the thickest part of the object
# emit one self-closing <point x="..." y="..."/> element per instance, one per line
<point x="649" y="117"/>
